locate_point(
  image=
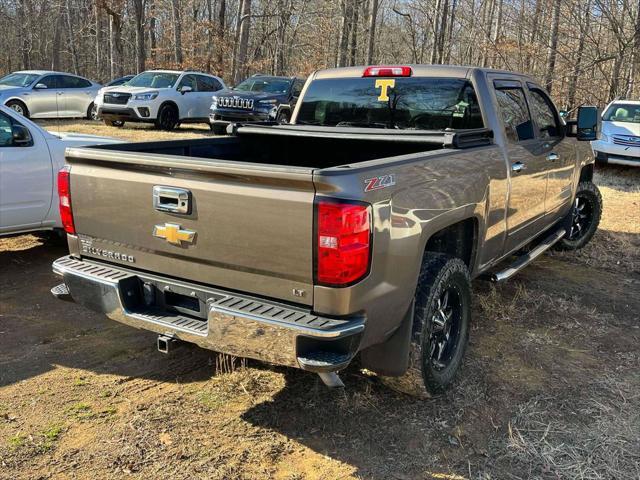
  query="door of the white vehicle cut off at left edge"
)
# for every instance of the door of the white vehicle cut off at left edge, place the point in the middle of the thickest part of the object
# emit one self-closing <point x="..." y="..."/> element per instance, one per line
<point x="26" y="179"/>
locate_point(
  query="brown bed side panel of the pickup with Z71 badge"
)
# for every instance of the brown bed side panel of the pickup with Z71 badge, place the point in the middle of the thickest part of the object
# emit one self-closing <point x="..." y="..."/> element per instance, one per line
<point x="432" y="190"/>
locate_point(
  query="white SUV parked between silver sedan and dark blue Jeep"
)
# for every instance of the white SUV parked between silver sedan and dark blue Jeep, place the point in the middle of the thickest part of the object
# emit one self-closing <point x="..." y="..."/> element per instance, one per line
<point x="166" y="98"/>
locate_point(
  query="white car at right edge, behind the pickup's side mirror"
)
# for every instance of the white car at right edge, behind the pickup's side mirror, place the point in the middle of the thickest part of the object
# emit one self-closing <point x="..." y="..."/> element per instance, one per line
<point x="619" y="142"/>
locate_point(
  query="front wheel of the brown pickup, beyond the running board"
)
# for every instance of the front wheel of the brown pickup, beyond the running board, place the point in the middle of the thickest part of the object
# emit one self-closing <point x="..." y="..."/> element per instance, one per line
<point x="583" y="219"/>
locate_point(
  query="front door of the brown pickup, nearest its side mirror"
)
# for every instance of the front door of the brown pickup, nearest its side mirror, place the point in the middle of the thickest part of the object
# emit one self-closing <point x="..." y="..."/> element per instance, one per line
<point x="559" y="152"/>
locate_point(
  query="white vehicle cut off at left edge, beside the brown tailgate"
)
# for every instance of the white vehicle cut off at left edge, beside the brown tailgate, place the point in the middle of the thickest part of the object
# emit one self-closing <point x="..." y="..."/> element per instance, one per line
<point x="29" y="158"/>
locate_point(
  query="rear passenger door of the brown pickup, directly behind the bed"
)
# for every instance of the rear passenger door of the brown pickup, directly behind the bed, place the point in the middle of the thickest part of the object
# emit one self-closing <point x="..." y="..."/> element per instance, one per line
<point x="527" y="164"/>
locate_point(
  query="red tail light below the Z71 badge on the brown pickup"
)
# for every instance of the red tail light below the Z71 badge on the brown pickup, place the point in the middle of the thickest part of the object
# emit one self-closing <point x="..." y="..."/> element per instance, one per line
<point x="343" y="242"/>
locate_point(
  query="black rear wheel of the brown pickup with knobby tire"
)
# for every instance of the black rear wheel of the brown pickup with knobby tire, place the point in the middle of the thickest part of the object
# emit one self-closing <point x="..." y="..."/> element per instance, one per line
<point x="440" y="331"/>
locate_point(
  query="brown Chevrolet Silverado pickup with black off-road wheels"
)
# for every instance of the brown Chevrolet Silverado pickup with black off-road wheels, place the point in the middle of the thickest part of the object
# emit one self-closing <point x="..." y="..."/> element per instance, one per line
<point x="355" y="230"/>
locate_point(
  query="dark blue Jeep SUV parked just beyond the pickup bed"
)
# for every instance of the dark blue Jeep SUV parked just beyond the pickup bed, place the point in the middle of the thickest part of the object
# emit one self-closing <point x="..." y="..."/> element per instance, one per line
<point x="258" y="98"/>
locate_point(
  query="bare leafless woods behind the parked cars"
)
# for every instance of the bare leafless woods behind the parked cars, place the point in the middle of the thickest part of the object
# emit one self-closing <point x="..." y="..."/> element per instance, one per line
<point x="583" y="51"/>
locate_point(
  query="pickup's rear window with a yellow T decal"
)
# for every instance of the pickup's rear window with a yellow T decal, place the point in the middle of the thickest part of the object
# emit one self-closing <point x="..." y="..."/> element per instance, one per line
<point x="402" y="103"/>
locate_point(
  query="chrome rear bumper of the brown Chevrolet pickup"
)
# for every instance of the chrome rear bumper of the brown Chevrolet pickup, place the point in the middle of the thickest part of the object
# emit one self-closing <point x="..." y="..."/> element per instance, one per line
<point x="214" y="319"/>
